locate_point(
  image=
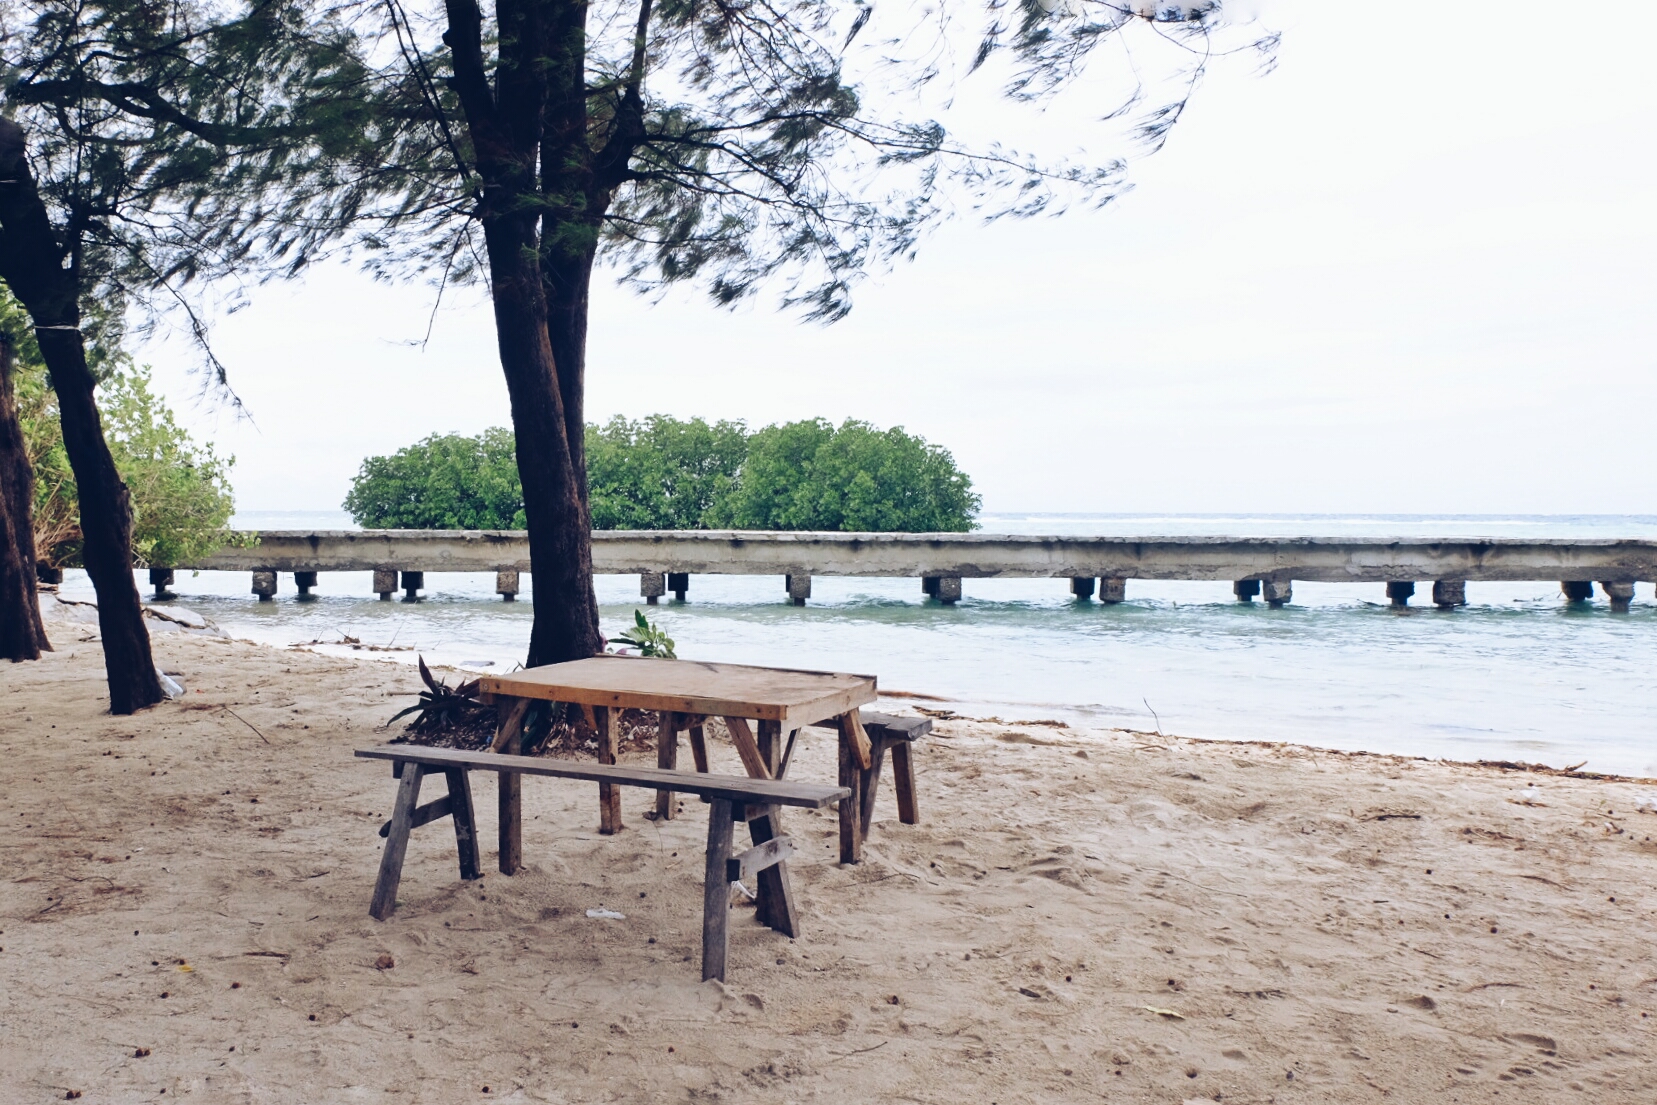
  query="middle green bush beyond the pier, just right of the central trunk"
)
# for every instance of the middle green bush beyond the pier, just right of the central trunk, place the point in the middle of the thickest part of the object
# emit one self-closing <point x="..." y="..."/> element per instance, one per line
<point x="660" y="473"/>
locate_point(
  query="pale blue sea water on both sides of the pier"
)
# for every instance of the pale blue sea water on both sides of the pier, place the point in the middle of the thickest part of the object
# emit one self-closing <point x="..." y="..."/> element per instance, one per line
<point x="1515" y="675"/>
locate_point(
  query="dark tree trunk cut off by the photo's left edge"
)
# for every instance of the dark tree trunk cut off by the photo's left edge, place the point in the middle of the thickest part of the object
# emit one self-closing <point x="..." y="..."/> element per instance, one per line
<point x="22" y="635"/>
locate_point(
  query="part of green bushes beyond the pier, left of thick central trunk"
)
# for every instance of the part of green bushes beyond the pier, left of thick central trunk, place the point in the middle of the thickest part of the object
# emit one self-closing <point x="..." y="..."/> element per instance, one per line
<point x="443" y="483"/>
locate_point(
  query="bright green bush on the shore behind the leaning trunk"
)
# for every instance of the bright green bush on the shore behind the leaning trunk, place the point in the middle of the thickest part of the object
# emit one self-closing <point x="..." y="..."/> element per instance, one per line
<point x="181" y="491"/>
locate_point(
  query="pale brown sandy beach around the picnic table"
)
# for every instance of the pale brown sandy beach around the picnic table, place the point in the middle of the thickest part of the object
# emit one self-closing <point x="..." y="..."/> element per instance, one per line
<point x="1083" y="915"/>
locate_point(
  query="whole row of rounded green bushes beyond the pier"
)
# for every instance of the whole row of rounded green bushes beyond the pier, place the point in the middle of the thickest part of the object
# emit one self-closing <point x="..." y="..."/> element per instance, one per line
<point x="670" y="475"/>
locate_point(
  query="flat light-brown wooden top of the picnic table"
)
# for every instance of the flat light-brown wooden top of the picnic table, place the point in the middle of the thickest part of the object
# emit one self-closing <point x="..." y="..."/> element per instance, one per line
<point x="687" y="687"/>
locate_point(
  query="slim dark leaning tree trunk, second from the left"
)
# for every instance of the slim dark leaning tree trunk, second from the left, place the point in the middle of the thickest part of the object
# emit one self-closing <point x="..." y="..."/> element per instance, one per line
<point x="32" y="266"/>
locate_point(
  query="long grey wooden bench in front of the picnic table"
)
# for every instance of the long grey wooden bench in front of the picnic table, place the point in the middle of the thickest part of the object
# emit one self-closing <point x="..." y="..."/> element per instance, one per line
<point x="732" y="799"/>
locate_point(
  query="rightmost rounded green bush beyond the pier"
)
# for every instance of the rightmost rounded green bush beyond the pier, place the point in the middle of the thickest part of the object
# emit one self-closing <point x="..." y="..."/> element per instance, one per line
<point x="813" y="476"/>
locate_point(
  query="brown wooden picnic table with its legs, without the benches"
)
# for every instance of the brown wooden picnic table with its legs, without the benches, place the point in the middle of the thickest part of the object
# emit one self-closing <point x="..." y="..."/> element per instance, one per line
<point x="685" y="693"/>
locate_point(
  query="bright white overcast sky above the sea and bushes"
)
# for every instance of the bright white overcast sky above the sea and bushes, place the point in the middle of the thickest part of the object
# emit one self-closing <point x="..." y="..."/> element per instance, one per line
<point x="1413" y="271"/>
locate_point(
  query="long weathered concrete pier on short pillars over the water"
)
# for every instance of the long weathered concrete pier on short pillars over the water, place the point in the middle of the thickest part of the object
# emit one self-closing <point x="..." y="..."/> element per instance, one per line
<point x="665" y="561"/>
